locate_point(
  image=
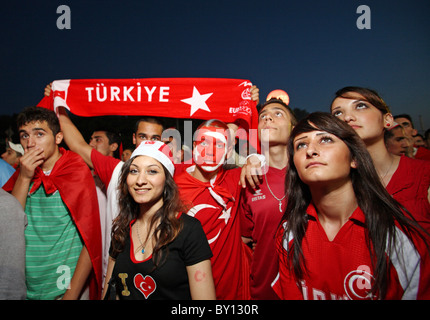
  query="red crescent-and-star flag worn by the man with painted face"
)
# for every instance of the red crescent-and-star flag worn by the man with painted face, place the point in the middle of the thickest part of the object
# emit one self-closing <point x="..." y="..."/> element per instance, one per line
<point x="215" y="204"/>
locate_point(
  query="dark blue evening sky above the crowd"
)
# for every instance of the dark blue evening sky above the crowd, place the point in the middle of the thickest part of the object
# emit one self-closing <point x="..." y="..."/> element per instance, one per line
<point x="308" y="48"/>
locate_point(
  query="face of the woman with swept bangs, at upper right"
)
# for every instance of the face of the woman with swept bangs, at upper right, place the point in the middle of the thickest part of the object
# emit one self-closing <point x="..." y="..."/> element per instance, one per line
<point x="362" y="116"/>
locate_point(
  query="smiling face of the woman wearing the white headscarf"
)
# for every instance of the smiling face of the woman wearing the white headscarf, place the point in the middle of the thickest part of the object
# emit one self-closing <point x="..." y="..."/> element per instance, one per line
<point x="146" y="180"/>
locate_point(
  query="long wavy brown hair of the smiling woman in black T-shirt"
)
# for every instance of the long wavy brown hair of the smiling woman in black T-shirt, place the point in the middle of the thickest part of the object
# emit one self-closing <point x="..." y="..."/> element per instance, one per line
<point x="169" y="226"/>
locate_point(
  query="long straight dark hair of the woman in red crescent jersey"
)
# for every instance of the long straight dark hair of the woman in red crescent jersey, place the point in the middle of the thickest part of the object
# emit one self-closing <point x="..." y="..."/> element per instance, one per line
<point x="380" y="209"/>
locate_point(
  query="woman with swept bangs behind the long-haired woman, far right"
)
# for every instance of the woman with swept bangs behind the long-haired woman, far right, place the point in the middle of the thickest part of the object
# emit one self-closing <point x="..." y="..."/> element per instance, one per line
<point x="406" y="179"/>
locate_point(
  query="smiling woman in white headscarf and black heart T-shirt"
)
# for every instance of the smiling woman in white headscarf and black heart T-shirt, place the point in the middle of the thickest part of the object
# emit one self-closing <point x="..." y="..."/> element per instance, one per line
<point x="157" y="252"/>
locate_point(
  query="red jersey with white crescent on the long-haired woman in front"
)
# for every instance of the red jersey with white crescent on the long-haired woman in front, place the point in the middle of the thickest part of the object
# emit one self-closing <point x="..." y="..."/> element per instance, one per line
<point x="342" y="269"/>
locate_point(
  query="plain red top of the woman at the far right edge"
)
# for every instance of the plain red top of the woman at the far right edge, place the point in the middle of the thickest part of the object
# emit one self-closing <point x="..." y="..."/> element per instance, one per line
<point x="409" y="185"/>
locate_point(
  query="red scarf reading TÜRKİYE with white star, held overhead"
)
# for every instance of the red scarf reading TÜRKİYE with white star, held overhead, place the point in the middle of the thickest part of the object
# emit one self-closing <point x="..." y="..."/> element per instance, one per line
<point x="228" y="100"/>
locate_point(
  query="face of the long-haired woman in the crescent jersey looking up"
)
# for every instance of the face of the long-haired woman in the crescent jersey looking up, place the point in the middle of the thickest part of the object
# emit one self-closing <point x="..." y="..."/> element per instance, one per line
<point x="321" y="157"/>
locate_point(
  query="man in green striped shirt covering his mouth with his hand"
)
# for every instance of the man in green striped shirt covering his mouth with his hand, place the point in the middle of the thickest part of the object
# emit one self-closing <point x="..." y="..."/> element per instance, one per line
<point x="56" y="190"/>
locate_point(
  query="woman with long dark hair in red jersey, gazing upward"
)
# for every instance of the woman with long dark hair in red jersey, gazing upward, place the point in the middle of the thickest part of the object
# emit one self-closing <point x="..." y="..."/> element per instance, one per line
<point x="343" y="236"/>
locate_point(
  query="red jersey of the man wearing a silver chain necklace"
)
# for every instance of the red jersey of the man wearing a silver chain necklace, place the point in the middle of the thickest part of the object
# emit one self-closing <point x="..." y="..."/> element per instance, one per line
<point x="261" y="215"/>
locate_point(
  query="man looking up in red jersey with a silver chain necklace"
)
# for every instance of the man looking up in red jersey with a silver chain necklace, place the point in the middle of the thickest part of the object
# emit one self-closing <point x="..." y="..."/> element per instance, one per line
<point x="262" y="207"/>
